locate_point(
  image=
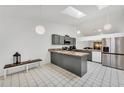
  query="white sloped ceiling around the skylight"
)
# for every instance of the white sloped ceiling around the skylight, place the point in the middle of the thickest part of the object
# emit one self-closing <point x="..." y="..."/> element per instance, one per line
<point x="88" y="25"/>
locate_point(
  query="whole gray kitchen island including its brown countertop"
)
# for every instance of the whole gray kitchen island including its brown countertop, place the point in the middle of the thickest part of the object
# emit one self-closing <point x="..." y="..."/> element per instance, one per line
<point x="75" y="62"/>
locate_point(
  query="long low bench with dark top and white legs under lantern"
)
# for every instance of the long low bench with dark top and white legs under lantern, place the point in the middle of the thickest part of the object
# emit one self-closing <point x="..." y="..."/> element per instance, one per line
<point x="24" y="63"/>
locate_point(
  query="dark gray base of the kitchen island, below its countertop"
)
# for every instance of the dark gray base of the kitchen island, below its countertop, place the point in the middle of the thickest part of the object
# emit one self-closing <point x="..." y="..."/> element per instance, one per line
<point x="74" y="64"/>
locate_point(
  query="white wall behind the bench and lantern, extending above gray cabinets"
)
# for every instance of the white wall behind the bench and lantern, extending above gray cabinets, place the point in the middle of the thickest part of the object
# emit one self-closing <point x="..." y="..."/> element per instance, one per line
<point x="19" y="35"/>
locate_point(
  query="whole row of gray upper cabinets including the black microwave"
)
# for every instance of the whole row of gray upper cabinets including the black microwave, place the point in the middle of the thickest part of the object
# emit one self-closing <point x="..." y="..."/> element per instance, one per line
<point x="63" y="40"/>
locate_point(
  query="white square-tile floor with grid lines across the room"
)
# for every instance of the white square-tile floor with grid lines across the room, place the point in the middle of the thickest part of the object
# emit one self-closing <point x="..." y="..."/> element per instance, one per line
<point x="49" y="75"/>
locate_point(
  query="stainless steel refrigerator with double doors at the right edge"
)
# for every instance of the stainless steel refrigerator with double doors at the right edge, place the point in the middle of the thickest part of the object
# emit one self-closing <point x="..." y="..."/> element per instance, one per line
<point x="115" y="56"/>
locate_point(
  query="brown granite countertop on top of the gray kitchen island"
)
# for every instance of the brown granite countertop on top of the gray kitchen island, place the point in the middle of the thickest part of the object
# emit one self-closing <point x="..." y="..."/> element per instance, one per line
<point x="70" y="53"/>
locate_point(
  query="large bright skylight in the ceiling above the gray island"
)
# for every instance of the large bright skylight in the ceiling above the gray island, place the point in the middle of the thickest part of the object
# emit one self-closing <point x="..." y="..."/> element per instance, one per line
<point x="71" y="11"/>
